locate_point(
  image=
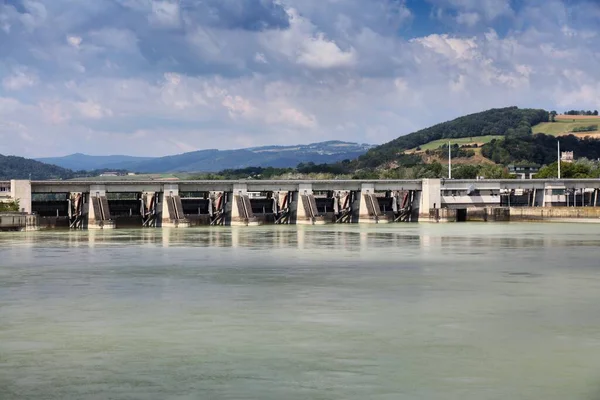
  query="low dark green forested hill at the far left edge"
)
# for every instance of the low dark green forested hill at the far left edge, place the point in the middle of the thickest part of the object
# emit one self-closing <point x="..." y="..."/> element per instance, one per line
<point x="12" y="167"/>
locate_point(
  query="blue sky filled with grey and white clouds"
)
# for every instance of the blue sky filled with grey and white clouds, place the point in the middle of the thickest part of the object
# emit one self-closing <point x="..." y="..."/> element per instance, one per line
<point x="158" y="77"/>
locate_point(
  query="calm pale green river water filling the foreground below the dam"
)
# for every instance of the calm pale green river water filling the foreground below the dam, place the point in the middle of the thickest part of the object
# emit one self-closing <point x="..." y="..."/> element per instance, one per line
<point x="404" y="311"/>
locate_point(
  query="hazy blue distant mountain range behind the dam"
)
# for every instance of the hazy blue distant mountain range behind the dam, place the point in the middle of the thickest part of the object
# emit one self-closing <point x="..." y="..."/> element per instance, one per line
<point x="217" y="160"/>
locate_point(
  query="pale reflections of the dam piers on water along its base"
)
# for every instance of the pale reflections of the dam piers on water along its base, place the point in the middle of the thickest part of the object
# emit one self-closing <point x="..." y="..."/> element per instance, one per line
<point x="470" y="237"/>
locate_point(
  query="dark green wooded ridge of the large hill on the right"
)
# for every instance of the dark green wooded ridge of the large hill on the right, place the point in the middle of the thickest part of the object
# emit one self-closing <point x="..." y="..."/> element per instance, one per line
<point x="498" y="121"/>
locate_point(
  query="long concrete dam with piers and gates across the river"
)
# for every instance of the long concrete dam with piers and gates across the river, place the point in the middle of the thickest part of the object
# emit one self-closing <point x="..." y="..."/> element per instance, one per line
<point x="109" y="204"/>
